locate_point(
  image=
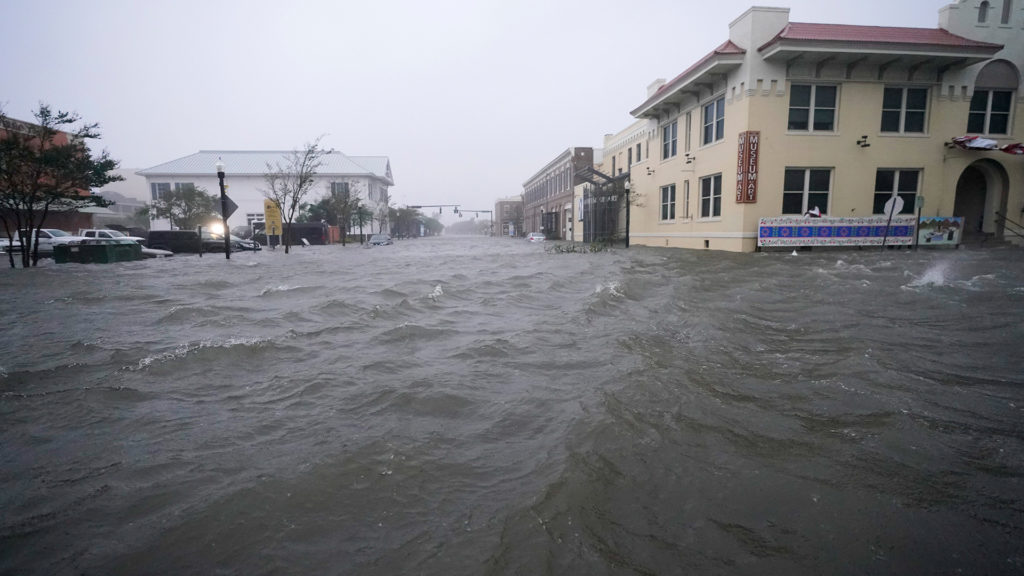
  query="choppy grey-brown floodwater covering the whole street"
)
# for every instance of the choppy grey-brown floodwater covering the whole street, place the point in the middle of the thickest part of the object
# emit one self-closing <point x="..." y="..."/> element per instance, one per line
<point x="489" y="406"/>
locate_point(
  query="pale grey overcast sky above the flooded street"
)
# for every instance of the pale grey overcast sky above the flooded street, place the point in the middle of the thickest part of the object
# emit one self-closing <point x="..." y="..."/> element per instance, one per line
<point x="468" y="100"/>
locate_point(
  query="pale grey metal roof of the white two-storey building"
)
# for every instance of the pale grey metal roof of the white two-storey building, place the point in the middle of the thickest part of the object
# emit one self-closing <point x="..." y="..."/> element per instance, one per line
<point x="254" y="163"/>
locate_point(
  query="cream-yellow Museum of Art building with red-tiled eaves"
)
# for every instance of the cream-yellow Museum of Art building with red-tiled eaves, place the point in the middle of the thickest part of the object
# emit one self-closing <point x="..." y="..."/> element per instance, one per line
<point x="789" y="118"/>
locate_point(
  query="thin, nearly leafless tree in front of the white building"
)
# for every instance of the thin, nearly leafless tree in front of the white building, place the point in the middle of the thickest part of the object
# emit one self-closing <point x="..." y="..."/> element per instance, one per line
<point x="289" y="182"/>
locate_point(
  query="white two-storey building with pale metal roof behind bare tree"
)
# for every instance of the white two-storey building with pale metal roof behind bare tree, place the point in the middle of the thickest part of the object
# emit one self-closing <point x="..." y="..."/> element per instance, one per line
<point x="369" y="178"/>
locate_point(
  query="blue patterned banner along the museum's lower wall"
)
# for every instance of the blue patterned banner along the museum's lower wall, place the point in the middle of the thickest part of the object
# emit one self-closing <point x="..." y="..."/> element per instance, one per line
<point x="798" y="231"/>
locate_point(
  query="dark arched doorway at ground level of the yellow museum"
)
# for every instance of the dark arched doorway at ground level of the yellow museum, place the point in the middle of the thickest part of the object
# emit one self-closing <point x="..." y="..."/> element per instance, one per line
<point x="983" y="191"/>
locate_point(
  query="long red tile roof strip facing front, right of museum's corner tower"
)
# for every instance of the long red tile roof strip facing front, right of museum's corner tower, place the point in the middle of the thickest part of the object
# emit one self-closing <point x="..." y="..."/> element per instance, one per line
<point x="875" y="34"/>
